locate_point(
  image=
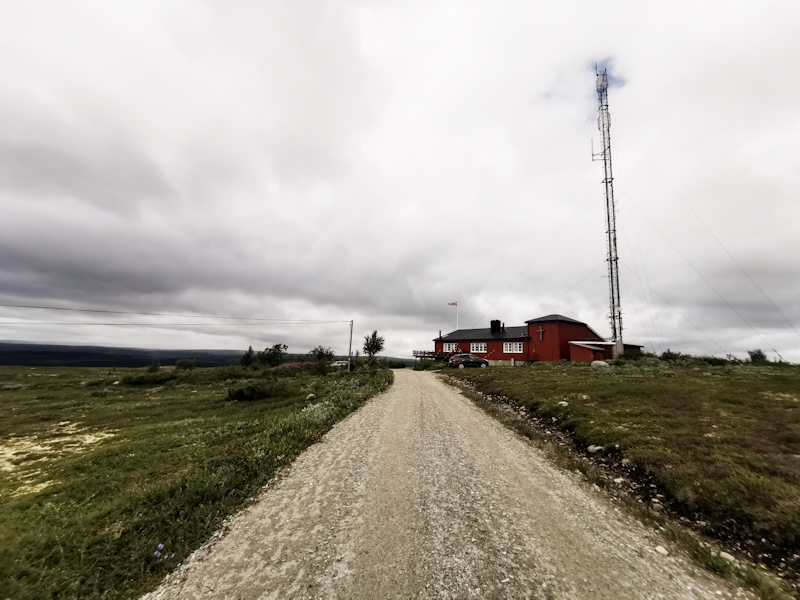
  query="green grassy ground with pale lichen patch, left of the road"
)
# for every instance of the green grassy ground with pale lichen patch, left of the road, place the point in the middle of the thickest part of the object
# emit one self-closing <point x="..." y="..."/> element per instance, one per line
<point x="100" y="466"/>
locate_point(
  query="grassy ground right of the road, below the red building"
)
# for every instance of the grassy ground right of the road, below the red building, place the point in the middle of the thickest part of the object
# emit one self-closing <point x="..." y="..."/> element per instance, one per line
<point x="722" y="443"/>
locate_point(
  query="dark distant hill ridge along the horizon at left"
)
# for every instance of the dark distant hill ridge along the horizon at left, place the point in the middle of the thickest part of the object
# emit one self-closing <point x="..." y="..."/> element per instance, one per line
<point x="21" y="354"/>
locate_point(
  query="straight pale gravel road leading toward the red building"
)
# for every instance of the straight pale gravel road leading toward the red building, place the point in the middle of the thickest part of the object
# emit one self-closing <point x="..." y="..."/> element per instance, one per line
<point x="421" y="495"/>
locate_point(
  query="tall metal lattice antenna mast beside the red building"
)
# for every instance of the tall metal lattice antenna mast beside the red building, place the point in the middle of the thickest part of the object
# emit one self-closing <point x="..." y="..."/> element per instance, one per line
<point x="604" y="125"/>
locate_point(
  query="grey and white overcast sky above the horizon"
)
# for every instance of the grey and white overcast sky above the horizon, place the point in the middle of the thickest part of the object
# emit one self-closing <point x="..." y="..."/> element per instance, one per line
<point x="375" y="161"/>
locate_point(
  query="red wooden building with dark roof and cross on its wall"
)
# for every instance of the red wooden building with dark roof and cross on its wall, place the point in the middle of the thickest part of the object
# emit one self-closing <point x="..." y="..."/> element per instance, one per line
<point x="550" y="338"/>
